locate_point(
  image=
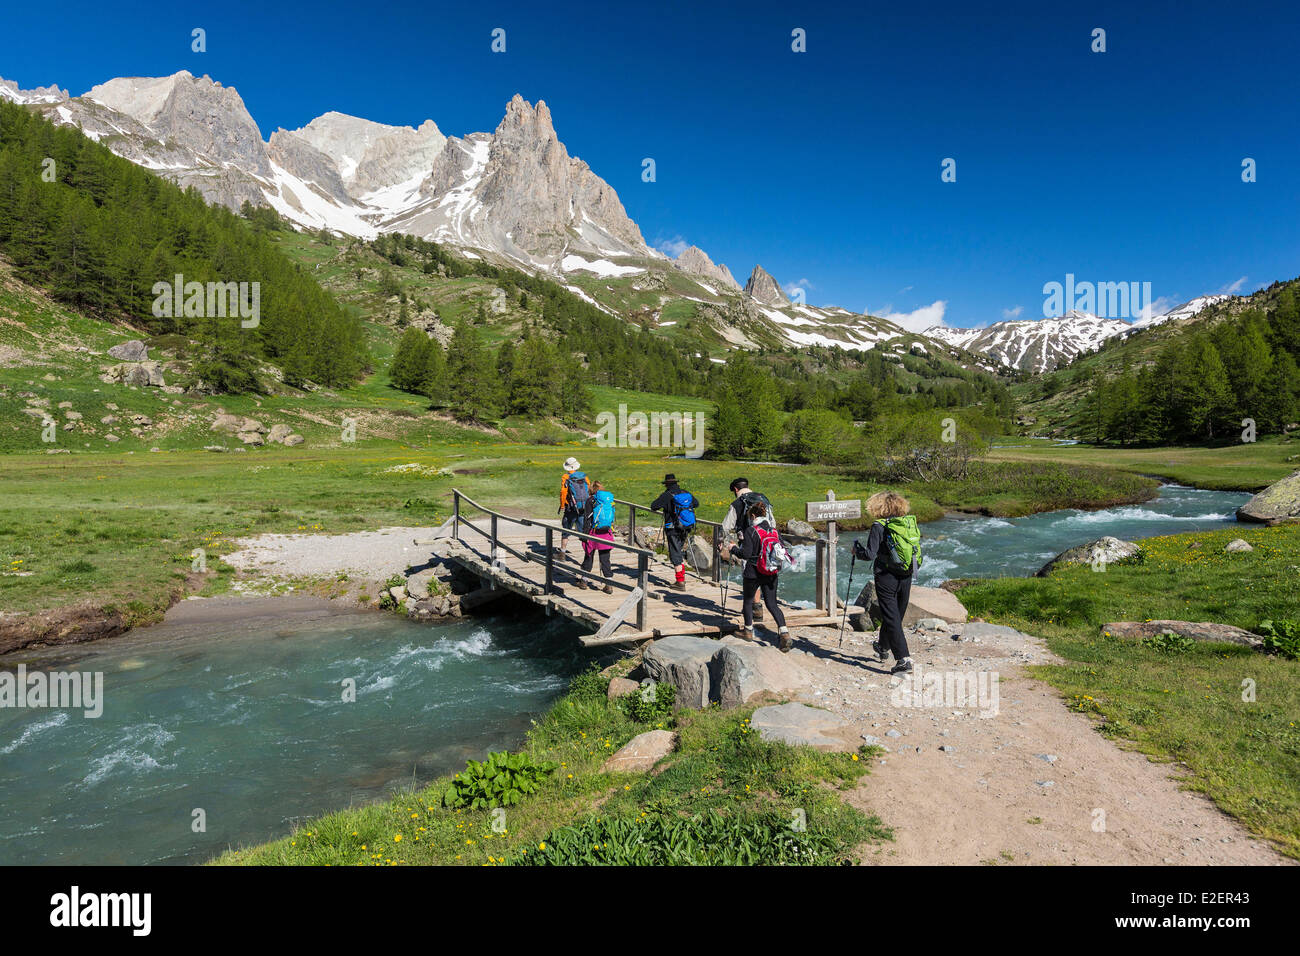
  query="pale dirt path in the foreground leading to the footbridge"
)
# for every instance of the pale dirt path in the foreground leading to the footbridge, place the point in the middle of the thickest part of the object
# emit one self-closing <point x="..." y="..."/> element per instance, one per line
<point x="1034" y="784"/>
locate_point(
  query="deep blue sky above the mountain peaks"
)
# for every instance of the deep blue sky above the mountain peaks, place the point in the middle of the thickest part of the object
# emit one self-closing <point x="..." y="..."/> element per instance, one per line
<point x="824" y="166"/>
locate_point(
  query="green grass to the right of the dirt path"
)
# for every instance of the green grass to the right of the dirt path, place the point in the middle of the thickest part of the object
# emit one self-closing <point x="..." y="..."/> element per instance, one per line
<point x="1186" y="708"/>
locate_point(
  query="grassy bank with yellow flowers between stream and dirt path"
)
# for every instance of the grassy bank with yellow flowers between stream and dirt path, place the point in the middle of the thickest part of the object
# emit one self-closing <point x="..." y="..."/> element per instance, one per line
<point x="721" y="767"/>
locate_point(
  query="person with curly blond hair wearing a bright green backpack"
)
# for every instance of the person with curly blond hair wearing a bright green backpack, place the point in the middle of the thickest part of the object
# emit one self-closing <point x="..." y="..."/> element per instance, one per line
<point x="895" y="547"/>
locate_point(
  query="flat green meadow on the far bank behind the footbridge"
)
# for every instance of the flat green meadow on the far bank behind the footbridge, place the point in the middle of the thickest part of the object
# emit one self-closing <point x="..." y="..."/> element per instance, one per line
<point x="151" y="530"/>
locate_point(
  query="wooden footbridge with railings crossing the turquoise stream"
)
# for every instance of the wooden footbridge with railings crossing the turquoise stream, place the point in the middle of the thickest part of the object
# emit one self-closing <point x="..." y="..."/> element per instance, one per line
<point x="522" y="555"/>
